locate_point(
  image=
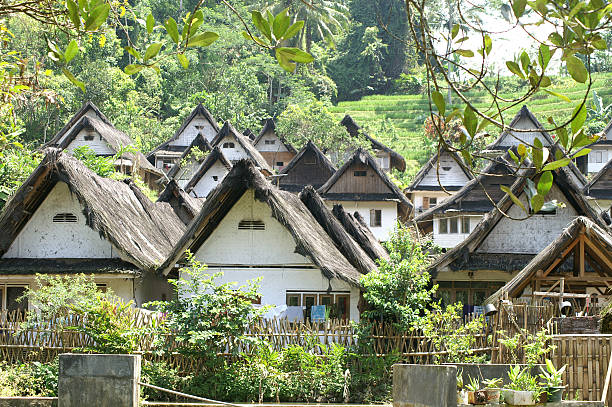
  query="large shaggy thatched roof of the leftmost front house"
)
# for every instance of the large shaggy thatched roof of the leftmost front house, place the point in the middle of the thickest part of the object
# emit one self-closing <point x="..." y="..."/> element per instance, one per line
<point x="143" y="232"/>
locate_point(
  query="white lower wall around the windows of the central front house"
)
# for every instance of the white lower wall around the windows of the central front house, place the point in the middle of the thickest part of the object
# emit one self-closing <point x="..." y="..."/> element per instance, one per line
<point x="277" y="281"/>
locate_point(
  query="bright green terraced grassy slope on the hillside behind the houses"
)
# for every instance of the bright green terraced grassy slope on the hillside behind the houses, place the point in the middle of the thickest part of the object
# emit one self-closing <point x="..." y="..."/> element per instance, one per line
<point x="408" y="112"/>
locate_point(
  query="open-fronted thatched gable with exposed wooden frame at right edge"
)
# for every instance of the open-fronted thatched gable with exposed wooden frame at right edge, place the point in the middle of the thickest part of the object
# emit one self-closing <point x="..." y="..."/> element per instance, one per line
<point x="581" y="255"/>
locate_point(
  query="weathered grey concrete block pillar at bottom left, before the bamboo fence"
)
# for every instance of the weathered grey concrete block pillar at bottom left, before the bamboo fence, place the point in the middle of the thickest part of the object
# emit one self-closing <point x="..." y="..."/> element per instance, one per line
<point x="98" y="380"/>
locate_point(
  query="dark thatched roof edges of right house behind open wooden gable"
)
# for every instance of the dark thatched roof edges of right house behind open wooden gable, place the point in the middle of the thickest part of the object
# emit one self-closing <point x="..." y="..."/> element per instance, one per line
<point x="565" y="183"/>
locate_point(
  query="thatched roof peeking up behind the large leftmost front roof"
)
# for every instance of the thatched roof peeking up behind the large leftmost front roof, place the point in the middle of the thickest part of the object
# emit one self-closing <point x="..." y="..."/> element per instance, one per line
<point x="115" y="138"/>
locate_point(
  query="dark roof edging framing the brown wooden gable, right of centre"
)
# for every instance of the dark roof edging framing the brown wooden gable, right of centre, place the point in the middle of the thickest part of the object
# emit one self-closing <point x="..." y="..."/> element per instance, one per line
<point x="363" y="157"/>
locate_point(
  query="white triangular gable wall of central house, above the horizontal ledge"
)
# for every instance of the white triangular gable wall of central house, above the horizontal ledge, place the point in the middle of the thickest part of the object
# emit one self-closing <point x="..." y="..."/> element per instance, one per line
<point x="228" y="245"/>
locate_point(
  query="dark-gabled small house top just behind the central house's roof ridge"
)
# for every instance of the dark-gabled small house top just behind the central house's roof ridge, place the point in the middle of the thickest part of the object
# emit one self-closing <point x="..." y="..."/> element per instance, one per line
<point x="296" y="175"/>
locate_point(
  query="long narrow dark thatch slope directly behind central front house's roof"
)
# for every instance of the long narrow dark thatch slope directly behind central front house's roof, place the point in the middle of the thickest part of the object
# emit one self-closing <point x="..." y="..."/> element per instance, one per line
<point x="343" y="240"/>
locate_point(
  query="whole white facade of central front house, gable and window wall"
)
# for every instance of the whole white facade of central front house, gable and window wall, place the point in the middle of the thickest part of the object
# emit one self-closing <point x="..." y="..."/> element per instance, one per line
<point x="270" y="254"/>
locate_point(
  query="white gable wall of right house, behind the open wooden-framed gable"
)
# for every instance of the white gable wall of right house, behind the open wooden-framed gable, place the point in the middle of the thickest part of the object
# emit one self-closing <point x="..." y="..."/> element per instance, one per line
<point x="528" y="236"/>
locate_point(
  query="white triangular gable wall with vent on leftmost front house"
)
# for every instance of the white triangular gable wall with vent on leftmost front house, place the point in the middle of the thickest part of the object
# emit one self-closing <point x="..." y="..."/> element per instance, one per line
<point x="41" y="238"/>
